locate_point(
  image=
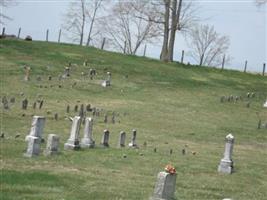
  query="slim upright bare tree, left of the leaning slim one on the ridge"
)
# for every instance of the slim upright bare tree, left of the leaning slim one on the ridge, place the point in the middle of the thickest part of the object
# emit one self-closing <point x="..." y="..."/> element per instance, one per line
<point x="74" y="20"/>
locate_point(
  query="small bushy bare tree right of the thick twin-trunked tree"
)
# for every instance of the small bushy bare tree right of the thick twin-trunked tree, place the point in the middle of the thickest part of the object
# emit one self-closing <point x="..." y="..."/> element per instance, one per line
<point x="208" y="47"/>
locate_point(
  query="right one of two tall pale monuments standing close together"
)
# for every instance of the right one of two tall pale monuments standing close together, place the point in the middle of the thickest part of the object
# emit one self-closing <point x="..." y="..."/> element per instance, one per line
<point x="87" y="141"/>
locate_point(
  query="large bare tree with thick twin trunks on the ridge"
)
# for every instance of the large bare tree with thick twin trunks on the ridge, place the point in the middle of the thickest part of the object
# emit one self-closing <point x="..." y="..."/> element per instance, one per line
<point x="171" y="16"/>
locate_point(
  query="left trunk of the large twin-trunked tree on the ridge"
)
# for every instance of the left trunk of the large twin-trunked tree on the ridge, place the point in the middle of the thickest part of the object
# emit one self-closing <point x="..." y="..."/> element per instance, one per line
<point x="164" y="50"/>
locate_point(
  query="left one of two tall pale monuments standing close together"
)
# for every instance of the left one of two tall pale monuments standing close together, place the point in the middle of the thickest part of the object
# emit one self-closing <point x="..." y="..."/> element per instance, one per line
<point x="73" y="142"/>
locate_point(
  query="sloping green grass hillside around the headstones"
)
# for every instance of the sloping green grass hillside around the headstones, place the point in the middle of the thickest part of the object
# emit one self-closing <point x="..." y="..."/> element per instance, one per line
<point x="170" y="105"/>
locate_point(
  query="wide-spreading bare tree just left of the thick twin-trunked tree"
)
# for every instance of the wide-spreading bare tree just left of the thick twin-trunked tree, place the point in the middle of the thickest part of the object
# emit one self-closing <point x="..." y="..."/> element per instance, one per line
<point x="126" y="31"/>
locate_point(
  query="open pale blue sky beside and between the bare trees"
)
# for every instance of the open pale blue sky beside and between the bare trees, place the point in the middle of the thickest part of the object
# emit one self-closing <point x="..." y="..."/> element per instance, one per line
<point x="243" y="21"/>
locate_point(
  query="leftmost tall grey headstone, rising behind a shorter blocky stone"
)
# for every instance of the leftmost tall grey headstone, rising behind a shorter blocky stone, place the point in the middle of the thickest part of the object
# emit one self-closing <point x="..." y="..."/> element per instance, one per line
<point x="38" y="123"/>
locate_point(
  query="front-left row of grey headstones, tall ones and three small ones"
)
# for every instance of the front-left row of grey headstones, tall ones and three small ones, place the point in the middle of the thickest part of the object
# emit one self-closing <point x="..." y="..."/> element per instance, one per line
<point x="35" y="137"/>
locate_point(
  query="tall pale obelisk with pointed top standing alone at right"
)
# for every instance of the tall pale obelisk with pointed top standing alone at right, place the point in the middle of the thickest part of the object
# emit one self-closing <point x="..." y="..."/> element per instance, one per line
<point x="226" y="165"/>
